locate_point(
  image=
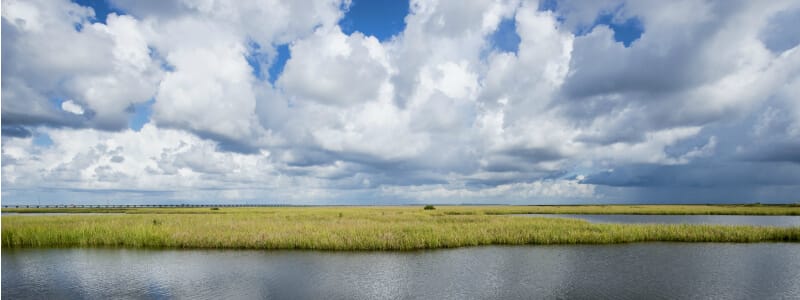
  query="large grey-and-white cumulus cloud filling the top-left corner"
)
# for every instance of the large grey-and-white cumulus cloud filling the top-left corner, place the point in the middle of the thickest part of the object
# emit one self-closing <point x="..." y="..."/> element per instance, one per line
<point x="53" y="53"/>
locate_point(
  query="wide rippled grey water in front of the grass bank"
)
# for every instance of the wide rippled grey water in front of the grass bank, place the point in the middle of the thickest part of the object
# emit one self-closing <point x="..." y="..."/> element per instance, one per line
<point x="631" y="271"/>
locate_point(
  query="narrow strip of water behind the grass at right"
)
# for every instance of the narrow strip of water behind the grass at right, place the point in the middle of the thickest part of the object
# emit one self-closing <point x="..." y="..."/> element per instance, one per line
<point x="785" y="221"/>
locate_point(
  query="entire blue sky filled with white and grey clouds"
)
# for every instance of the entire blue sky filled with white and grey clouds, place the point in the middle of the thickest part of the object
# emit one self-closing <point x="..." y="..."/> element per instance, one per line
<point x="398" y="102"/>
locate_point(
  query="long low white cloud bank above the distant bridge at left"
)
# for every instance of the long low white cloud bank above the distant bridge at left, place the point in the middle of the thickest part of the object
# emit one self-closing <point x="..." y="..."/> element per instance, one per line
<point x="151" y="159"/>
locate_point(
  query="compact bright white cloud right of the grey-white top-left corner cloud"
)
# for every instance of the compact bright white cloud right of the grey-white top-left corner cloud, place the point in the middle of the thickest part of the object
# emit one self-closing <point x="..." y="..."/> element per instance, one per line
<point x="213" y="97"/>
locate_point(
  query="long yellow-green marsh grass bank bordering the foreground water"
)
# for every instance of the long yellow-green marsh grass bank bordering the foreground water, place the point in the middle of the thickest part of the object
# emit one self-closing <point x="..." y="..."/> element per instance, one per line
<point x="349" y="228"/>
